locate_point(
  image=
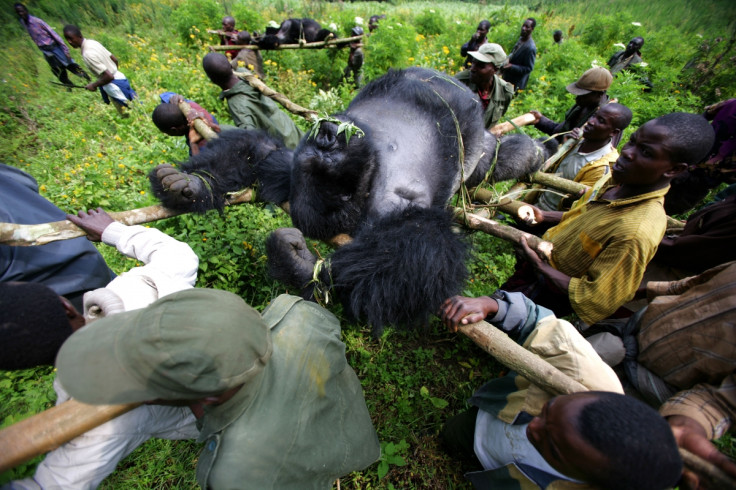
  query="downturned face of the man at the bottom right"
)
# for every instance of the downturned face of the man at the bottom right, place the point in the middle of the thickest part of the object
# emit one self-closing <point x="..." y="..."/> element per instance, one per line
<point x="555" y="435"/>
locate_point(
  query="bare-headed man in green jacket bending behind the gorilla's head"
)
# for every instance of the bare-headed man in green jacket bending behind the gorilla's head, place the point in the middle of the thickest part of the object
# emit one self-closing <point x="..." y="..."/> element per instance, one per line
<point x="248" y="107"/>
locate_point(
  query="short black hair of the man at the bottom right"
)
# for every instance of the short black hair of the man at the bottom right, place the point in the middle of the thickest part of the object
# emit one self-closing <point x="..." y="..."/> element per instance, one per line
<point x="638" y="442"/>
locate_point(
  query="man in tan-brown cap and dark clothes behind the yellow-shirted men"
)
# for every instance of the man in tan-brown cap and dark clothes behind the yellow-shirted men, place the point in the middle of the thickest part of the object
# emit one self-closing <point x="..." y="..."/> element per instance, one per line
<point x="590" y="91"/>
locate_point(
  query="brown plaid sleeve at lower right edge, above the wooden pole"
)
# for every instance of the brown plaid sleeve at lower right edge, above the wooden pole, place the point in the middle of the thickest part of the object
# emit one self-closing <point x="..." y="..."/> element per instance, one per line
<point x="713" y="407"/>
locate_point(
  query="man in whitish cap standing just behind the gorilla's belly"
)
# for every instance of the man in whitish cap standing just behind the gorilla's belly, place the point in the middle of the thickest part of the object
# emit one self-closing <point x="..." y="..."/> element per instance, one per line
<point x="494" y="93"/>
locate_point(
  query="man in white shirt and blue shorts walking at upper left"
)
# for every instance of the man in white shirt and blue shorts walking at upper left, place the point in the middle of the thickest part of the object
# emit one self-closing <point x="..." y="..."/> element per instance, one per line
<point x="112" y="83"/>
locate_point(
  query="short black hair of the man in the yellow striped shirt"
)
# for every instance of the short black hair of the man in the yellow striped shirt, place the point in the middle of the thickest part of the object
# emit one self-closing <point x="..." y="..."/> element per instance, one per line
<point x="691" y="136"/>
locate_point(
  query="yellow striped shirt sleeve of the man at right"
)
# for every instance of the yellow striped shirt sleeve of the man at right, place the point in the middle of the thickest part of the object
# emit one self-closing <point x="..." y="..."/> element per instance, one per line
<point x="611" y="280"/>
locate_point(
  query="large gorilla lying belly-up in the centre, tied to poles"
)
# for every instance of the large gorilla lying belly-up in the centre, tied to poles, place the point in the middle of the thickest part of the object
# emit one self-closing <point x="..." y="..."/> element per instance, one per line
<point x="383" y="172"/>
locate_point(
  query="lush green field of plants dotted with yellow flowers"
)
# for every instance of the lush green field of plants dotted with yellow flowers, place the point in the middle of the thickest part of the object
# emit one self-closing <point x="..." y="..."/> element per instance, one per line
<point x="84" y="156"/>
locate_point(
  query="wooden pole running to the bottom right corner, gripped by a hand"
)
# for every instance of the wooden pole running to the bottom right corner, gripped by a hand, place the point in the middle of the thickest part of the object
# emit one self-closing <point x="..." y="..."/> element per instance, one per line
<point x="553" y="381"/>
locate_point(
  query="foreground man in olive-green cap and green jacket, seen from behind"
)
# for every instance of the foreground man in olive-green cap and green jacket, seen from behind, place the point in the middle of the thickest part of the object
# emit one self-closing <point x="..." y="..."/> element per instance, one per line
<point x="278" y="405"/>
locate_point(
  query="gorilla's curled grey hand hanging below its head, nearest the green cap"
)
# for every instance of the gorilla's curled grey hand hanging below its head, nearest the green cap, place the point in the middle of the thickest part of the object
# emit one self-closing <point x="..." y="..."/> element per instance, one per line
<point x="289" y="259"/>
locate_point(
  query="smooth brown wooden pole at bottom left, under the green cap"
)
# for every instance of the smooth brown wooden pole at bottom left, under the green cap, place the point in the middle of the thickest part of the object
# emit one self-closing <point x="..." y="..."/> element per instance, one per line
<point x="51" y="428"/>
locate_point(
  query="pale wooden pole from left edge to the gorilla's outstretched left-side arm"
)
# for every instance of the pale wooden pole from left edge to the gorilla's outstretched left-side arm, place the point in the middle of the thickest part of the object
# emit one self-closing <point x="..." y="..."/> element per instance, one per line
<point x="25" y="235"/>
